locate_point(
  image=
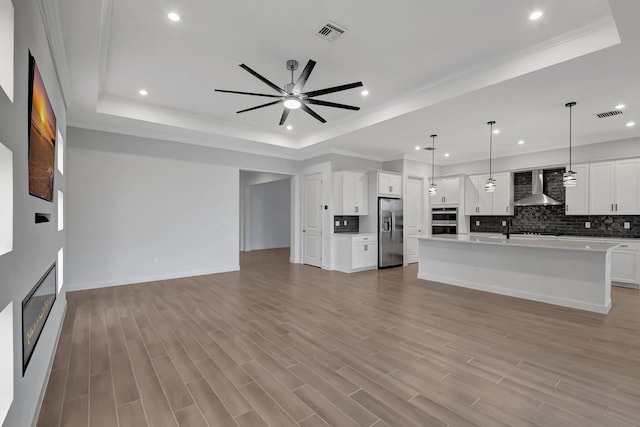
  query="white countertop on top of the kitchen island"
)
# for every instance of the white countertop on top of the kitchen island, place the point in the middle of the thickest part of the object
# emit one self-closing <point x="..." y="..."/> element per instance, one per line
<point x="526" y="241"/>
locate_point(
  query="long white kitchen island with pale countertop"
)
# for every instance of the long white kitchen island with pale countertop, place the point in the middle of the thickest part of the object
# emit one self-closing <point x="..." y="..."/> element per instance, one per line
<point x="563" y="272"/>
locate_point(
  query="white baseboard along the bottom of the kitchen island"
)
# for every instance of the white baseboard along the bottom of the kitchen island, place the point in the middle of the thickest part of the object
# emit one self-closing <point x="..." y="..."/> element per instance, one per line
<point x="549" y="299"/>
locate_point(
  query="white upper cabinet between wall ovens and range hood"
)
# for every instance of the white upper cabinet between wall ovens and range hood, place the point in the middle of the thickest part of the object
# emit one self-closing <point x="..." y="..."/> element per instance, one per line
<point x="479" y="202"/>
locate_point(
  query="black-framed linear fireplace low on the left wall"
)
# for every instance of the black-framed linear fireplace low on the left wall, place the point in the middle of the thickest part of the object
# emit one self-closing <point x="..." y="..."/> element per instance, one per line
<point x="35" y="311"/>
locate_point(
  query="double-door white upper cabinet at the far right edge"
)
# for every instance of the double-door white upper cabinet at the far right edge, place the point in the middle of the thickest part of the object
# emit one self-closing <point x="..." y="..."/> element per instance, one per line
<point x="614" y="187"/>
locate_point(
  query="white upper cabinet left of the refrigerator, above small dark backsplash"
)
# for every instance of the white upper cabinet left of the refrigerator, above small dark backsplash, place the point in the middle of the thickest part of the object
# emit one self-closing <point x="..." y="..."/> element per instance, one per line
<point x="350" y="193"/>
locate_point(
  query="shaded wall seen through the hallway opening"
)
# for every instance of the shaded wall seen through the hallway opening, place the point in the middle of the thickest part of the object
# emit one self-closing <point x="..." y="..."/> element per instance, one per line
<point x="270" y="215"/>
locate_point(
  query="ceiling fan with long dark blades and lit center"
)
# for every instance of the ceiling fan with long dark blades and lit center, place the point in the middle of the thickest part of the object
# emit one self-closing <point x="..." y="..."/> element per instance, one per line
<point x="292" y="95"/>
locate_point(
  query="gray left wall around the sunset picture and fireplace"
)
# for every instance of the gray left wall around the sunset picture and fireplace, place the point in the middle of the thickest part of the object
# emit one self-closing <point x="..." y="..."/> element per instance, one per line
<point x="35" y="246"/>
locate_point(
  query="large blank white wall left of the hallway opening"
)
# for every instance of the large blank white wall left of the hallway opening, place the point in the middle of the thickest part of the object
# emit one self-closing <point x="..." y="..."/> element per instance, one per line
<point x="134" y="218"/>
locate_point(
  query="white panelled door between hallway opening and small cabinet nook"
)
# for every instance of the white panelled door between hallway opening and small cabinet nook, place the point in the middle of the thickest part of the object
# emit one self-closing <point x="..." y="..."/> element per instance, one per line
<point x="312" y="220"/>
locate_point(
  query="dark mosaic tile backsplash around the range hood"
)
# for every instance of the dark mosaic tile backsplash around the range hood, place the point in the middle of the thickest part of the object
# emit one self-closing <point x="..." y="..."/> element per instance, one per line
<point x="551" y="219"/>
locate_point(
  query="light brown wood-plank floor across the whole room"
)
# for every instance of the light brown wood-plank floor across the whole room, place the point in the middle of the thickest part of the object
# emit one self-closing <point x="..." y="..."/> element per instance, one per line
<point x="279" y="344"/>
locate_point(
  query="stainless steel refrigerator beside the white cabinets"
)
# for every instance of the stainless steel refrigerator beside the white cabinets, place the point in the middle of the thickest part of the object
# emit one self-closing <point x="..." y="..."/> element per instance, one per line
<point x="390" y="250"/>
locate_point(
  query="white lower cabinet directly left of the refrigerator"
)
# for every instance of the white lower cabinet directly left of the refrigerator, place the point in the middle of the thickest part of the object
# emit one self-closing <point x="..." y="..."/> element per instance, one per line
<point x="356" y="252"/>
